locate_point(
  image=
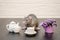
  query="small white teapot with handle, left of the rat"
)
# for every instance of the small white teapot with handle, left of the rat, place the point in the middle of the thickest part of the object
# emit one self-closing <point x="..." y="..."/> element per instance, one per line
<point x="13" y="27"/>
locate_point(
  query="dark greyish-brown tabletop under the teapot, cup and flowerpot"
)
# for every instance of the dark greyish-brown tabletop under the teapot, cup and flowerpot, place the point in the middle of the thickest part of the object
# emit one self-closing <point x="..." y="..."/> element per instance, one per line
<point x="5" y="35"/>
